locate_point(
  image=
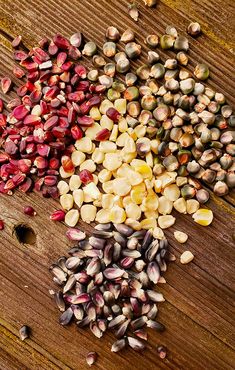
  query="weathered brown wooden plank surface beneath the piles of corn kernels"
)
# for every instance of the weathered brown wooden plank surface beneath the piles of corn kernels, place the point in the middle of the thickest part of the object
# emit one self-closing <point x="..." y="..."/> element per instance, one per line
<point x="199" y="310"/>
